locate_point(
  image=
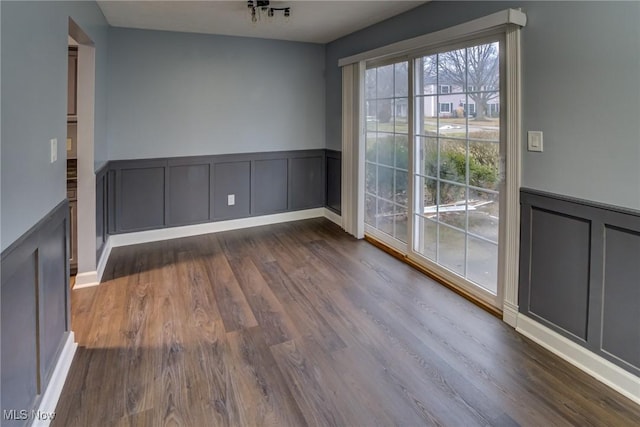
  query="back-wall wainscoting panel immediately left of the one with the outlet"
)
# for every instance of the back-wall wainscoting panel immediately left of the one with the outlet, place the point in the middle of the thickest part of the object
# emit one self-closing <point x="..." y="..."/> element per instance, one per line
<point x="189" y="198"/>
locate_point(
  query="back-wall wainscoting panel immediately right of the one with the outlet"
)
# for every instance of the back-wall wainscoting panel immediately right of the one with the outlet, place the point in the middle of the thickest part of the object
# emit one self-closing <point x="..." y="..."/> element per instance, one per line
<point x="269" y="186"/>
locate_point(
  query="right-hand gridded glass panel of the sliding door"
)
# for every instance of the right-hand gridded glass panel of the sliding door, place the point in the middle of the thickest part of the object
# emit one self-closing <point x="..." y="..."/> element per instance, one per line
<point x="457" y="149"/>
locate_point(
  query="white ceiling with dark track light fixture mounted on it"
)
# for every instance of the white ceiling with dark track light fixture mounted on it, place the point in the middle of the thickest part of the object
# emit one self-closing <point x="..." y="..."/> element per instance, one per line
<point x="311" y="21"/>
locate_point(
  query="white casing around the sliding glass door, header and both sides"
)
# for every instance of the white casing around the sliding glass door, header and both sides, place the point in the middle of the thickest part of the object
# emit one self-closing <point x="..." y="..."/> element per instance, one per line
<point x="508" y="22"/>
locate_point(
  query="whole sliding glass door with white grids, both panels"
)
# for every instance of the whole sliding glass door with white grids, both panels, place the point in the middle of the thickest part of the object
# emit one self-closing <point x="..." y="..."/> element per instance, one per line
<point x="444" y="108"/>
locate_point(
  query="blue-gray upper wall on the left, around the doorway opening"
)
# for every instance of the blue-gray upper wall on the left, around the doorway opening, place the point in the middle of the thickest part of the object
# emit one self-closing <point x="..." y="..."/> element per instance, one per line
<point x="34" y="94"/>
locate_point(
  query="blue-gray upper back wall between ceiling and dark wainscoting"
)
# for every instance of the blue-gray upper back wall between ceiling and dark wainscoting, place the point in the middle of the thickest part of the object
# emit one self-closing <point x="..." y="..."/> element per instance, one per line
<point x="177" y="94"/>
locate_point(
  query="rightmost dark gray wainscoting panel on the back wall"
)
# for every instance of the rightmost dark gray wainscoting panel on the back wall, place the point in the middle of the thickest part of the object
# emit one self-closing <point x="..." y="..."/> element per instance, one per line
<point x="306" y="182"/>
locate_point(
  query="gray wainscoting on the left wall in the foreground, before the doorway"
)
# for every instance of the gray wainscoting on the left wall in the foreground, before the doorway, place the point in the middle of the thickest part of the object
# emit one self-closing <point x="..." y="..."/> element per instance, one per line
<point x="35" y="310"/>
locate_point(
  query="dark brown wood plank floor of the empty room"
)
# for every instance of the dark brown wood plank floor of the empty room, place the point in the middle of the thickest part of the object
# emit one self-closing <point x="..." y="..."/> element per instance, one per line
<point x="299" y="324"/>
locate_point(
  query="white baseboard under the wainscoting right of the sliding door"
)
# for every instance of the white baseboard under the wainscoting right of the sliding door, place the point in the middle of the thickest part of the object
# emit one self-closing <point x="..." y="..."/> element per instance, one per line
<point x="598" y="367"/>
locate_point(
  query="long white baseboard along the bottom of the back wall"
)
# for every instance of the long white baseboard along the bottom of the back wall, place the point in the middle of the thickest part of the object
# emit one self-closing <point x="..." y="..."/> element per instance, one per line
<point x="135" y="238"/>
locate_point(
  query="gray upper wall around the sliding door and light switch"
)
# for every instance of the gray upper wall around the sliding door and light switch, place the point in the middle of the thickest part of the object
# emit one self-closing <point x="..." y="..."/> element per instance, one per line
<point x="581" y="62"/>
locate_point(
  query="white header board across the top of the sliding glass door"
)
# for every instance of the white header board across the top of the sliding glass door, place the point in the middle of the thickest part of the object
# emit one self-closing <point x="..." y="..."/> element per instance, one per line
<point x="504" y="17"/>
